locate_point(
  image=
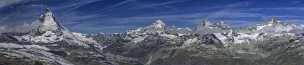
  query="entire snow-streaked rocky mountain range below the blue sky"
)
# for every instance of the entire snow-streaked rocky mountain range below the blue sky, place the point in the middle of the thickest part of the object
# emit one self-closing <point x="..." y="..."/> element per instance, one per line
<point x="50" y="43"/>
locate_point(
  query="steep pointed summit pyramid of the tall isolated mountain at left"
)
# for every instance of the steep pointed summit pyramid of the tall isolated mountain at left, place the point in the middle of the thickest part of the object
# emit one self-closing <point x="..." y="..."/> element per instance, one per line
<point x="48" y="22"/>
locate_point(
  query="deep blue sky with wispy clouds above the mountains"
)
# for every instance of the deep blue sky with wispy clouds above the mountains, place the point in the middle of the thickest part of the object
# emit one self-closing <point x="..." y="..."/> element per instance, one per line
<point x="121" y="15"/>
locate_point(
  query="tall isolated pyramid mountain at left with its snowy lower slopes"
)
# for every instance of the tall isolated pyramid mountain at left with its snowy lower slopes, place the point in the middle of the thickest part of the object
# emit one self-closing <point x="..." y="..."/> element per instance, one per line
<point x="50" y="31"/>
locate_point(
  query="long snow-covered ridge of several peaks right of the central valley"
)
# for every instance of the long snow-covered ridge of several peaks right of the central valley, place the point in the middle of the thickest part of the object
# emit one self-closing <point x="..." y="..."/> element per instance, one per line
<point x="222" y="33"/>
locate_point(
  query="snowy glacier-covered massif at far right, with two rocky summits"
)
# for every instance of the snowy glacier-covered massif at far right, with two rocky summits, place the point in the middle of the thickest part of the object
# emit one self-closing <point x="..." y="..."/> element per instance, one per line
<point x="269" y="30"/>
